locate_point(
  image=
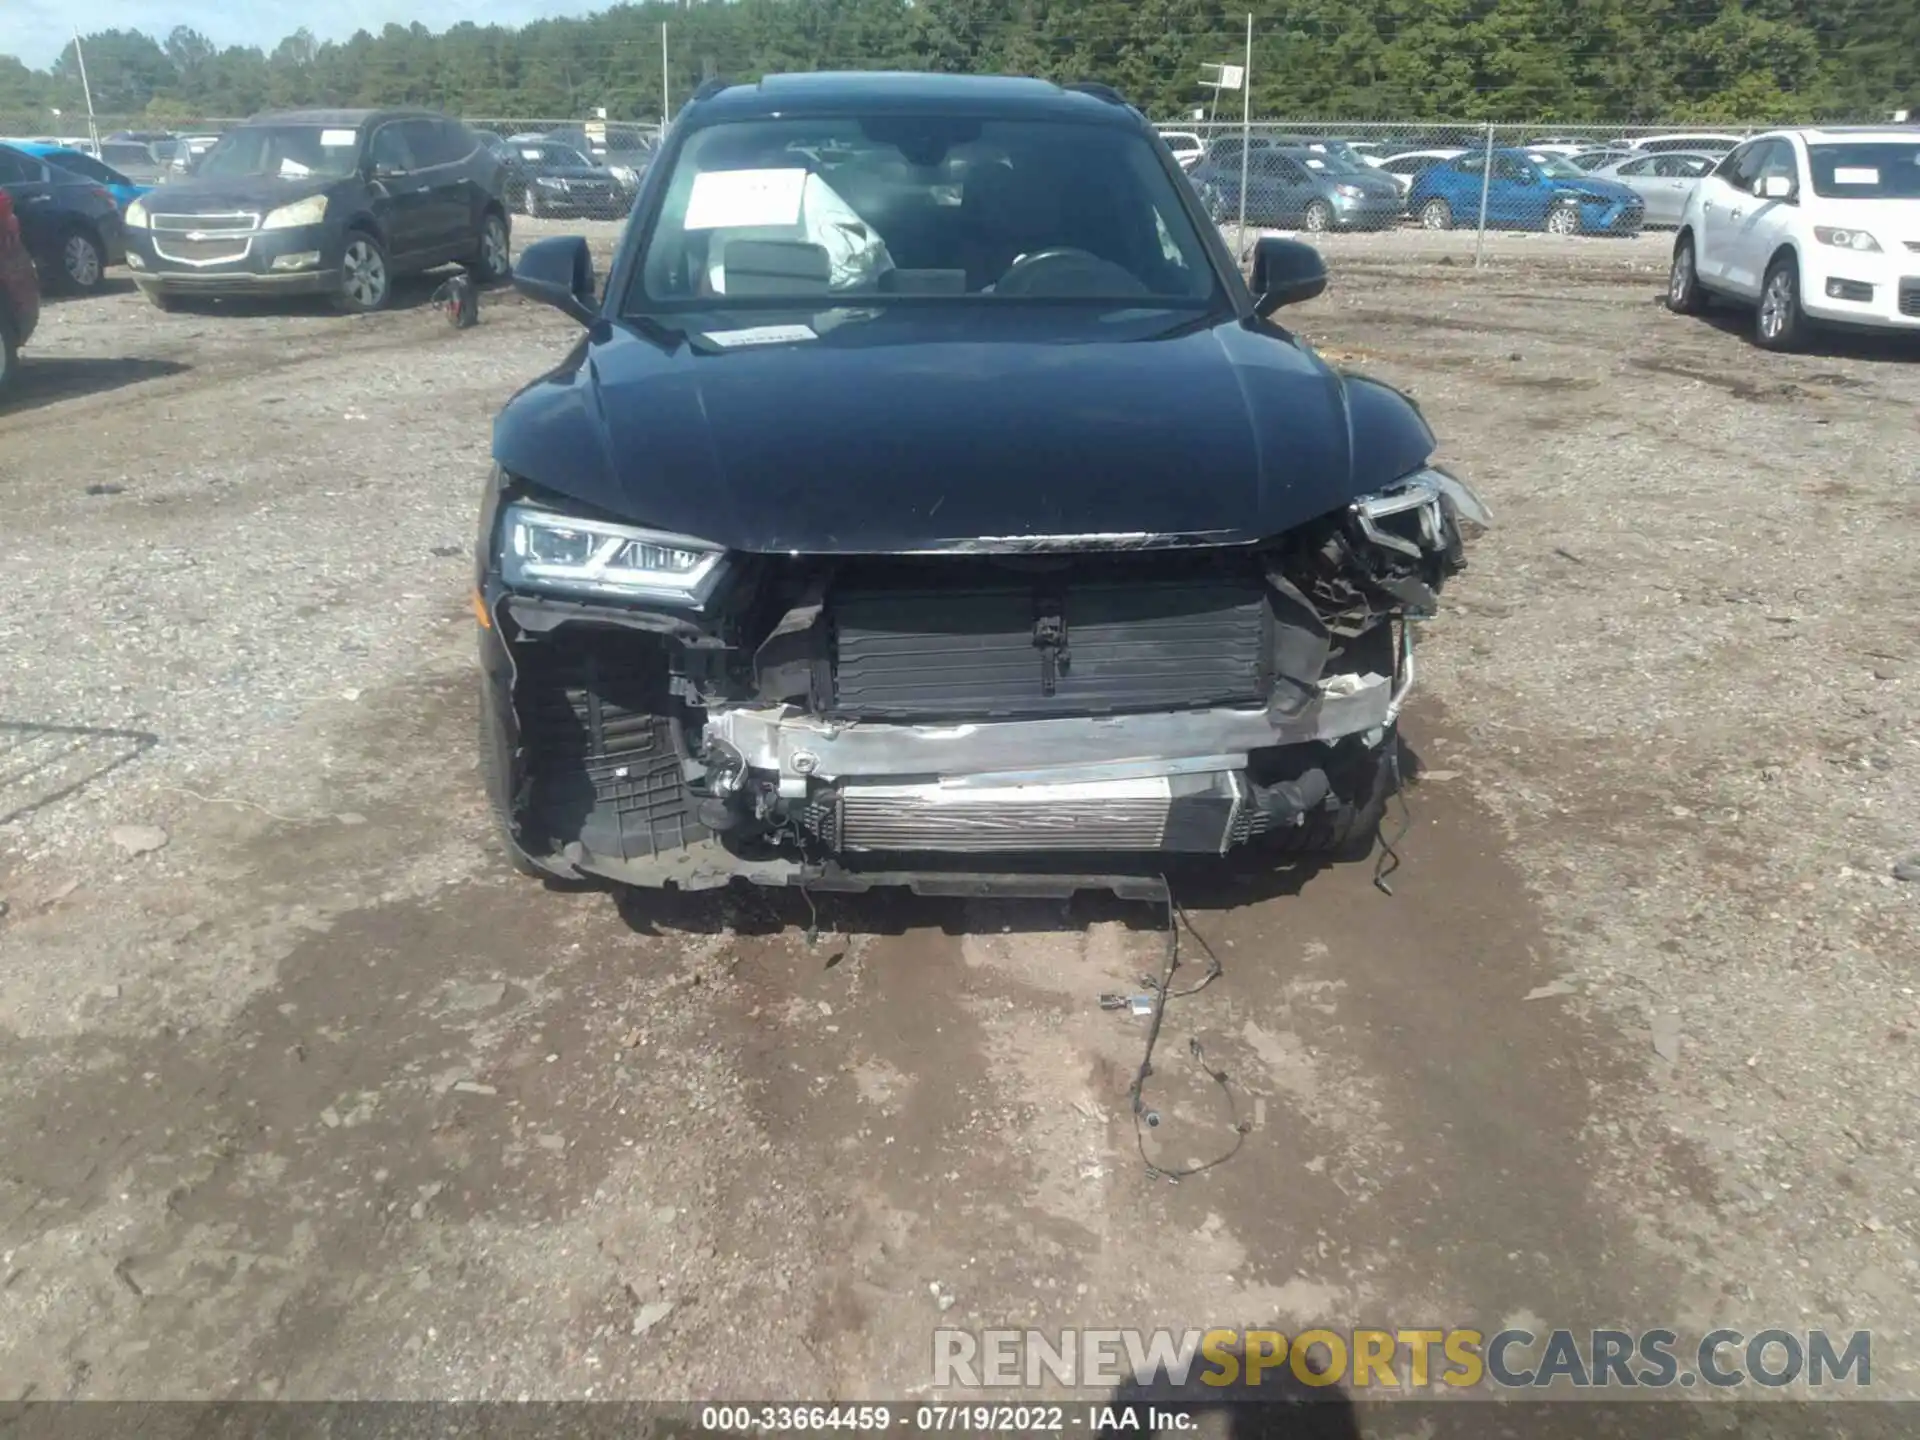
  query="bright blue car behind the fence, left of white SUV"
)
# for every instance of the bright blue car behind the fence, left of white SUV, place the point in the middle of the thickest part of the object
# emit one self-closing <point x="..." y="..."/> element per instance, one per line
<point x="1529" y="191"/>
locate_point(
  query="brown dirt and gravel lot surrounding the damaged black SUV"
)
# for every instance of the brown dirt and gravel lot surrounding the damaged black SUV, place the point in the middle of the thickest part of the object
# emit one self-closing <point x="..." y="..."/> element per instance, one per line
<point x="316" y="1099"/>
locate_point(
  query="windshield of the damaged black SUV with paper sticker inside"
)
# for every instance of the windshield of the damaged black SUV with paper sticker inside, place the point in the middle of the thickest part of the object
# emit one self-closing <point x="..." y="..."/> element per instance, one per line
<point x="792" y="210"/>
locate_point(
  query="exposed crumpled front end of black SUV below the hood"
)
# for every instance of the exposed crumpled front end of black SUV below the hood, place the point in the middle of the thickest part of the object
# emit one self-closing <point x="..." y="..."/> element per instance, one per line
<point x="1074" y="708"/>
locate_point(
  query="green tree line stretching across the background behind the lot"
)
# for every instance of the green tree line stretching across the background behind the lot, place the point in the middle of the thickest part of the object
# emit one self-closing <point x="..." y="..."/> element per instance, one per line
<point x="1481" y="60"/>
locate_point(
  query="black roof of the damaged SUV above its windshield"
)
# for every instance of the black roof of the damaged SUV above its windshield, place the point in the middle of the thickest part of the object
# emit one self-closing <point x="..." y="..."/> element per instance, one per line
<point x="907" y="93"/>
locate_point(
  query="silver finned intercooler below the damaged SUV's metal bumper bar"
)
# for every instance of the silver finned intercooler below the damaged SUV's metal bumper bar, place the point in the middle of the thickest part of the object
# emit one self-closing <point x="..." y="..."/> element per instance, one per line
<point x="1193" y="813"/>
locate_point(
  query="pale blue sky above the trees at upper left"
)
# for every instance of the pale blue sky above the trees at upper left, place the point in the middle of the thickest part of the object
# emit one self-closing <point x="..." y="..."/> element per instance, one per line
<point x="37" y="30"/>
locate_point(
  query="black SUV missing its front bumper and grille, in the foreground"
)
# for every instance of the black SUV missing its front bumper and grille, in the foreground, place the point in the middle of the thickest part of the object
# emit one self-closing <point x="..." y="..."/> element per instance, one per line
<point x="930" y="502"/>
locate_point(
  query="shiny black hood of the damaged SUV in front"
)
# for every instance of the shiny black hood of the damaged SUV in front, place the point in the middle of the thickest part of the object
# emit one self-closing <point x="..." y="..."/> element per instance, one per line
<point x="924" y="431"/>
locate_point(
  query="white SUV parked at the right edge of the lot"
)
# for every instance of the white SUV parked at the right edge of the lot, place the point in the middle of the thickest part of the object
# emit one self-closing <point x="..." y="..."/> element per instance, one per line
<point x="1808" y="228"/>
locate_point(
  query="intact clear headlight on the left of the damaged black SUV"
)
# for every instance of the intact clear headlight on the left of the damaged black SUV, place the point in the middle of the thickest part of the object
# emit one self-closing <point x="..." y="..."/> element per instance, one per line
<point x="542" y="550"/>
